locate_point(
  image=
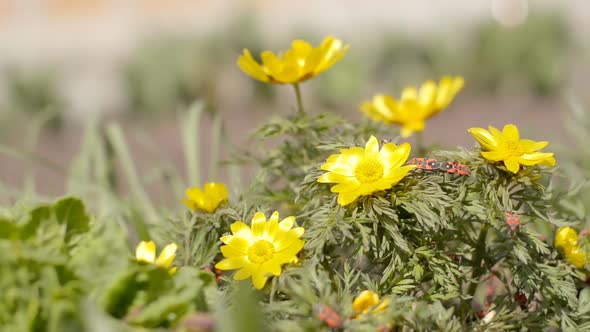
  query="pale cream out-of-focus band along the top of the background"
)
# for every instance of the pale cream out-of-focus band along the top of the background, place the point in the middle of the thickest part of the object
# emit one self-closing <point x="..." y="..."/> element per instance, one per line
<point x="93" y="37"/>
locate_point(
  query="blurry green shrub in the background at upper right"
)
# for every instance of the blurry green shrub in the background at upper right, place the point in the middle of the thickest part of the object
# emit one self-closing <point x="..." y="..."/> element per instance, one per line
<point x="516" y="55"/>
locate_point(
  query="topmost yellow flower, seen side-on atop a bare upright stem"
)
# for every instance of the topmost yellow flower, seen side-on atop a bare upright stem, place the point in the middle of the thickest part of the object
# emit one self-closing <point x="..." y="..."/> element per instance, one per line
<point x="298" y="64"/>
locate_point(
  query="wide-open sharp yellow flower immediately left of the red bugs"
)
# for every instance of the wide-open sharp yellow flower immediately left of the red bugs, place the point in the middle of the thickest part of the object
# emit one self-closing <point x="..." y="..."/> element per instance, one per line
<point x="361" y="172"/>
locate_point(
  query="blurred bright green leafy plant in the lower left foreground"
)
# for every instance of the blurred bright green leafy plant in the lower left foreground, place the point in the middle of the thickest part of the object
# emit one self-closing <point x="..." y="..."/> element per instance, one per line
<point x="55" y="260"/>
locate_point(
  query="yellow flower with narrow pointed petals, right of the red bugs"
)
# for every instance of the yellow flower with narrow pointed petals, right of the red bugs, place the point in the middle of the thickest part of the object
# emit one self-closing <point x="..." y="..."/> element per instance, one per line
<point x="507" y="146"/>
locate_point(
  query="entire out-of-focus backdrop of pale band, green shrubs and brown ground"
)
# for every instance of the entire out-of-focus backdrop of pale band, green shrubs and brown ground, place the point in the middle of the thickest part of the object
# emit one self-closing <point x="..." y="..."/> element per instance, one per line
<point x="65" y="64"/>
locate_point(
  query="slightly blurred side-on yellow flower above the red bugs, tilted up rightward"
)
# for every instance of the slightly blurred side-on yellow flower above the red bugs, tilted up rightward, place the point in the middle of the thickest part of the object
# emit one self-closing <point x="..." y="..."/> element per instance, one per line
<point x="415" y="106"/>
